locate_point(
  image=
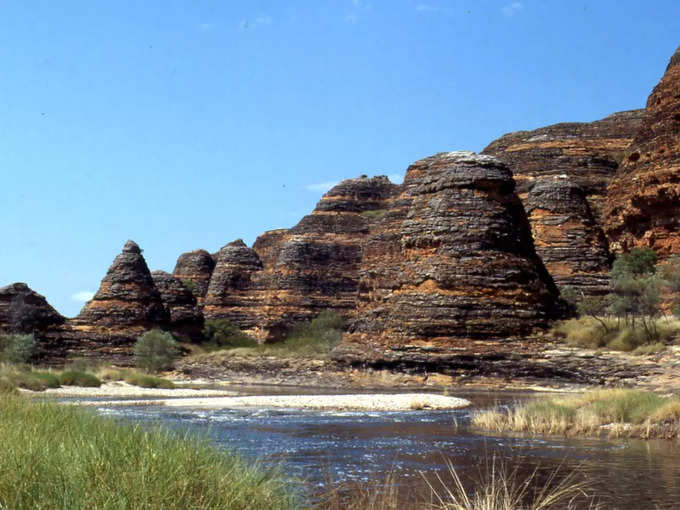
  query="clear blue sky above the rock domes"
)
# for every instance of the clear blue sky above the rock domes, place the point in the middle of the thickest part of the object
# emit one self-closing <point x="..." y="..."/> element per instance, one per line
<point x="187" y="124"/>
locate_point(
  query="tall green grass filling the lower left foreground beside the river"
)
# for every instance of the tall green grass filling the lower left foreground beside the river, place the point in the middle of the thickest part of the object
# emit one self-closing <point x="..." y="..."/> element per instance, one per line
<point x="56" y="456"/>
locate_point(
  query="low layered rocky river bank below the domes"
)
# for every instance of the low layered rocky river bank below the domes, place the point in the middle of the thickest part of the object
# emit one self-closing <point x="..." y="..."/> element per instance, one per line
<point x="548" y="367"/>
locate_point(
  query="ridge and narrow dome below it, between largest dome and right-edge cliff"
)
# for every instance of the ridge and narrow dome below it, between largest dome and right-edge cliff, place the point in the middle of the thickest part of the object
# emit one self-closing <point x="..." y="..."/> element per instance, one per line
<point x="562" y="173"/>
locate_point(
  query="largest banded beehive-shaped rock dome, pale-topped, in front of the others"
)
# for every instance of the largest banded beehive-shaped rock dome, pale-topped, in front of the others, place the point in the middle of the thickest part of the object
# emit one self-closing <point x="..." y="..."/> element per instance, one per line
<point x="450" y="262"/>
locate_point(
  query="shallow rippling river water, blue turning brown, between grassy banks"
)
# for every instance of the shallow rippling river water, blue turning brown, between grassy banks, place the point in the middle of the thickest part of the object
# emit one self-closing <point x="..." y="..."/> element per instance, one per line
<point x="361" y="446"/>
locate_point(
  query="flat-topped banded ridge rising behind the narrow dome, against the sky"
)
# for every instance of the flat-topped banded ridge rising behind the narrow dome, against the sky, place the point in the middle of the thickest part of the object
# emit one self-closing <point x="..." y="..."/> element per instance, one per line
<point x="588" y="154"/>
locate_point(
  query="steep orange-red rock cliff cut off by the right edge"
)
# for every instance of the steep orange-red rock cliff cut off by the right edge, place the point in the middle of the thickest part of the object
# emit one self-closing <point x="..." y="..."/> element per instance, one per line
<point x="644" y="198"/>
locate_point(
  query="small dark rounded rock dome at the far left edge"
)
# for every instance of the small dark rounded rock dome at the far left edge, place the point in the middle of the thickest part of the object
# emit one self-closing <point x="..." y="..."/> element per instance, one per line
<point x="23" y="310"/>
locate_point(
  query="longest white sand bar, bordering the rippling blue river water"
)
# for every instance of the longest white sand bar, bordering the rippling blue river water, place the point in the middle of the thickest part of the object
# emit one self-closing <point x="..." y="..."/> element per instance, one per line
<point x="363" y="402"/>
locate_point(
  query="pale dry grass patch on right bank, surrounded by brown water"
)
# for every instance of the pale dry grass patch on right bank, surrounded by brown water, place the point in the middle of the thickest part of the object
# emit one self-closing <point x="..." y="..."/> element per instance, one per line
<point x="618" y="412"/>
